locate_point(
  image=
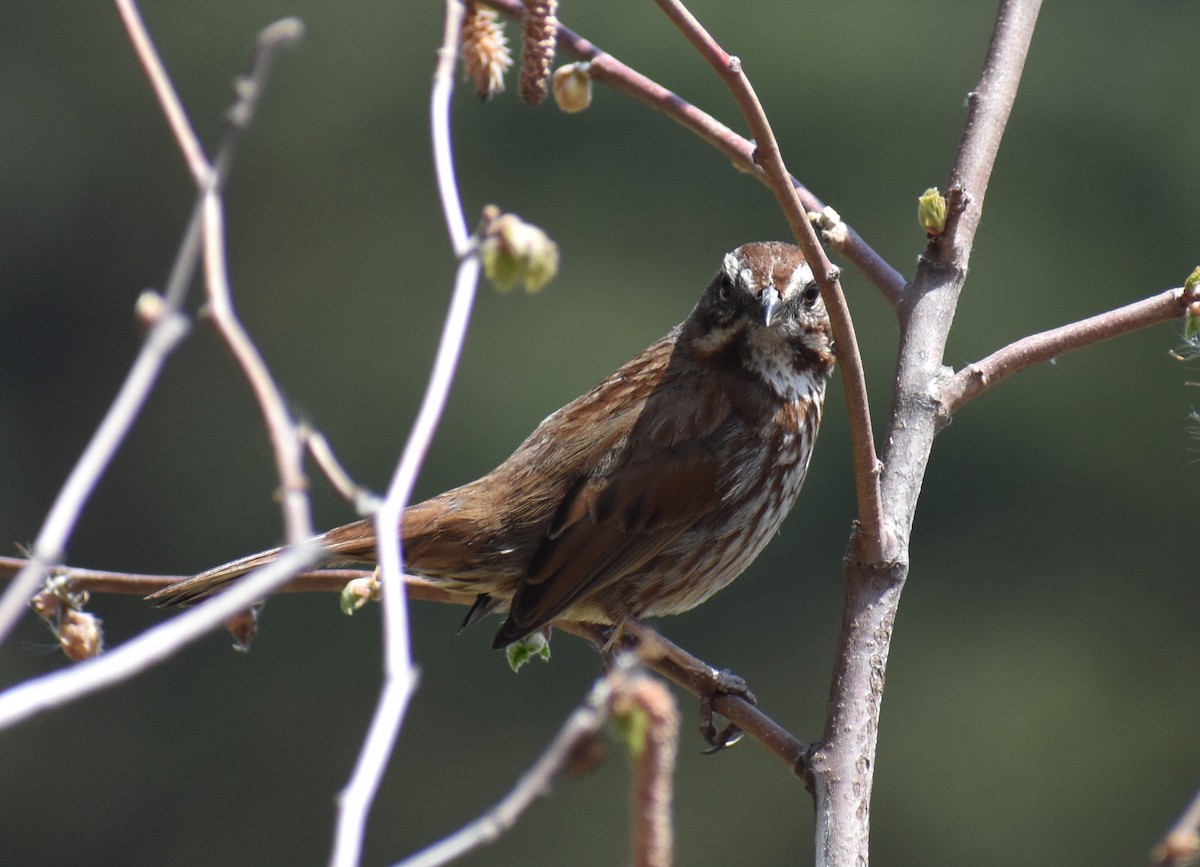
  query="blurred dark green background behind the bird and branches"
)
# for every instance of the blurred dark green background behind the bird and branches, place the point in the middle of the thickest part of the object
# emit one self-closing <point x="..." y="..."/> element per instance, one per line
<point x="1043" y="686"/>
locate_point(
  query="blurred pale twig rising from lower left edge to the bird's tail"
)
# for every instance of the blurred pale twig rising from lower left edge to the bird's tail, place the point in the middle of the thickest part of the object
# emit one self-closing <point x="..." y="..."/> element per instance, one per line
<point x="153" y="647"/>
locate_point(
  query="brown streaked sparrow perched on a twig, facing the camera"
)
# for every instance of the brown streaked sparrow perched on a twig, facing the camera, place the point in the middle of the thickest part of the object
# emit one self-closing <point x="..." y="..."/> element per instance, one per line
<point x="650" y="493"/>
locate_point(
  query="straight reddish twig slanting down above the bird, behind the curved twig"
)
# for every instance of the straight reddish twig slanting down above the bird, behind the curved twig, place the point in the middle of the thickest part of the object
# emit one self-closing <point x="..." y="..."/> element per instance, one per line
<point x="607" y="69"/>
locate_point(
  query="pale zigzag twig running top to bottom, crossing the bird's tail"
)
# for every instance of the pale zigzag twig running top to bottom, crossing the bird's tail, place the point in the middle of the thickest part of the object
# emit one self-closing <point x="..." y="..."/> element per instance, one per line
<point x="400" y="677"/>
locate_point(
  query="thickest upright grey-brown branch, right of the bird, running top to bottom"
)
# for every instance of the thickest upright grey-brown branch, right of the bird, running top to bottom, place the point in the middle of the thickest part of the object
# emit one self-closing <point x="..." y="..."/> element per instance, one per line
<point x="843" y="764"/>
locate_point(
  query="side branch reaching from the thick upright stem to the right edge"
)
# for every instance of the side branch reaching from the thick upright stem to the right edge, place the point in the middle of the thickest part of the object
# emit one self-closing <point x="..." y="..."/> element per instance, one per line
<point x="1037" y="349"/>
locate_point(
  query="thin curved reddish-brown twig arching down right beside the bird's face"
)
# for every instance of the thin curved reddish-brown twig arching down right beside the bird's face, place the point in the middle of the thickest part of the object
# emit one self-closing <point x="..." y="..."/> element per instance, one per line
<point x="868" y="541"/>
